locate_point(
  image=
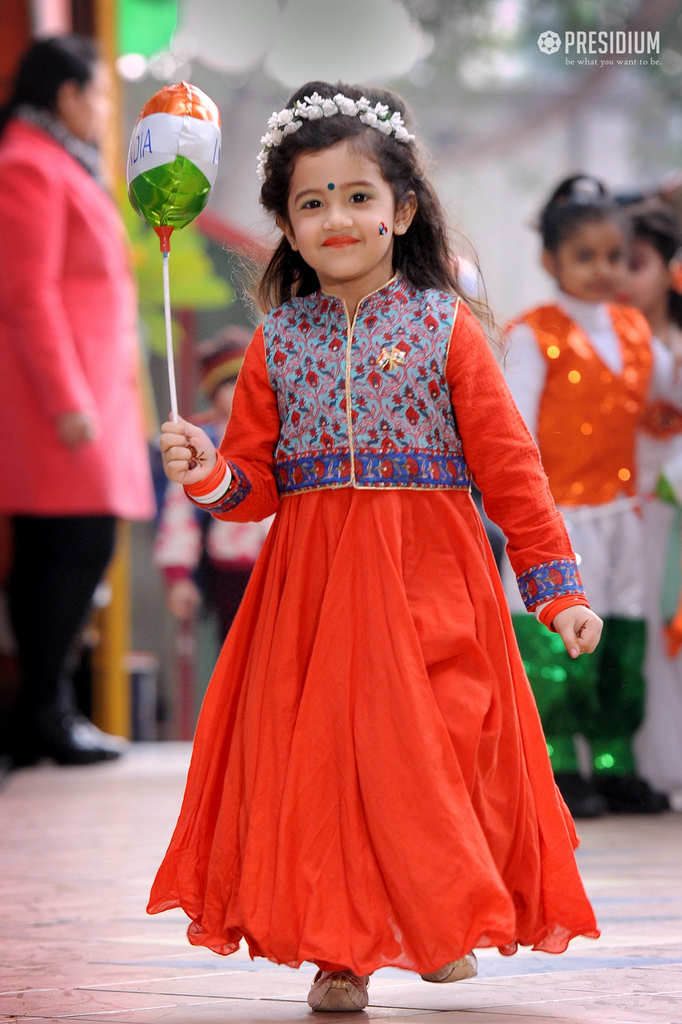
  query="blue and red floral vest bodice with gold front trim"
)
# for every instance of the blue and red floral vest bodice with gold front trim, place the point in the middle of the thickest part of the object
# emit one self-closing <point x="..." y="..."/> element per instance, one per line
<point x="365" y="405"/>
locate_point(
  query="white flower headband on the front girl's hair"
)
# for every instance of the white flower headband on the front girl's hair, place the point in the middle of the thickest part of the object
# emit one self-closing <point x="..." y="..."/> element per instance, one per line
<point x="314" y="108"/>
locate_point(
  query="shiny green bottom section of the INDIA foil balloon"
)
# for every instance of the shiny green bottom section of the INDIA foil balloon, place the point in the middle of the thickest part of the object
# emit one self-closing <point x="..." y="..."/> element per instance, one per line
<point x="170" y="195"/>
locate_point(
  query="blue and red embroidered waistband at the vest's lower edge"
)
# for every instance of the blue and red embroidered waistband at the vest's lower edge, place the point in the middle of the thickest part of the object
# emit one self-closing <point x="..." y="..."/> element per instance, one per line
<point x="372" y="470"/>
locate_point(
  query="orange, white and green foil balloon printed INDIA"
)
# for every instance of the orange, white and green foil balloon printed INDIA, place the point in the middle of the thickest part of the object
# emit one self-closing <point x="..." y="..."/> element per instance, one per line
<point x="174" y="156"/>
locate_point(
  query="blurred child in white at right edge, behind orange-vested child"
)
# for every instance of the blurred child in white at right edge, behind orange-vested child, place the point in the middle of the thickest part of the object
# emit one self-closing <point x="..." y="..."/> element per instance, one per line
<point x="653" y="285"/>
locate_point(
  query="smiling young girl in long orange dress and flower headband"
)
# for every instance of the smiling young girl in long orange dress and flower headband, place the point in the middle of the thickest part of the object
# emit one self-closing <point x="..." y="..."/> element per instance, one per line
<point x="370" y="784"/>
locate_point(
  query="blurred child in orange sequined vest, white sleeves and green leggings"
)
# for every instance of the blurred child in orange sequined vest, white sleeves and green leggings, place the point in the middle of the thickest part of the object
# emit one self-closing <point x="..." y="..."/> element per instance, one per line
<point x="581" y="370"/>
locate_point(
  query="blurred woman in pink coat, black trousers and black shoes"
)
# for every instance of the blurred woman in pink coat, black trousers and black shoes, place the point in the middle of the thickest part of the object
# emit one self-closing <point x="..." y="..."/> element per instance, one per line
<point x="70" y="411"/>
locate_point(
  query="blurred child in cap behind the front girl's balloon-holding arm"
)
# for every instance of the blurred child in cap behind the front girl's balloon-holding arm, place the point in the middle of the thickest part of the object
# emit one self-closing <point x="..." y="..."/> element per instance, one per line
<point x="207" y="561"/>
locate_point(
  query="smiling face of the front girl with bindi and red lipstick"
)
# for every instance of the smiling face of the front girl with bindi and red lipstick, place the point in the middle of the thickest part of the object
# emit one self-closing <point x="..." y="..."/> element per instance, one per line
<point x="343" y="218"/>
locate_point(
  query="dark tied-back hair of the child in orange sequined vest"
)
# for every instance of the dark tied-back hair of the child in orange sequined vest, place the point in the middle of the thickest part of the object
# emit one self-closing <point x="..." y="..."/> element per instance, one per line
<point x="577" y="201"/>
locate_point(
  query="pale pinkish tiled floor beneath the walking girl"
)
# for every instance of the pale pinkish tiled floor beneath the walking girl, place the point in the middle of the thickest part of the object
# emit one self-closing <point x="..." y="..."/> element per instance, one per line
<point x="79" y="847"/>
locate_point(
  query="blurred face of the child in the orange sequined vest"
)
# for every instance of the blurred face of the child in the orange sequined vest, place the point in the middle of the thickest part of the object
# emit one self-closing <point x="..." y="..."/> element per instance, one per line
<point x="591" y="264"/>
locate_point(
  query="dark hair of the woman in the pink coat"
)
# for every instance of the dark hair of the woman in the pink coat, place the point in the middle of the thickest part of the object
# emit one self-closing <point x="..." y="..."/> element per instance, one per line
<point x="46" y="67"/>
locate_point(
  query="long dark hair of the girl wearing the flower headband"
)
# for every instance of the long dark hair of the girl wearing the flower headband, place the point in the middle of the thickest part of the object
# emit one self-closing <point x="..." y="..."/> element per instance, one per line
<point x="423" y="254"/>
